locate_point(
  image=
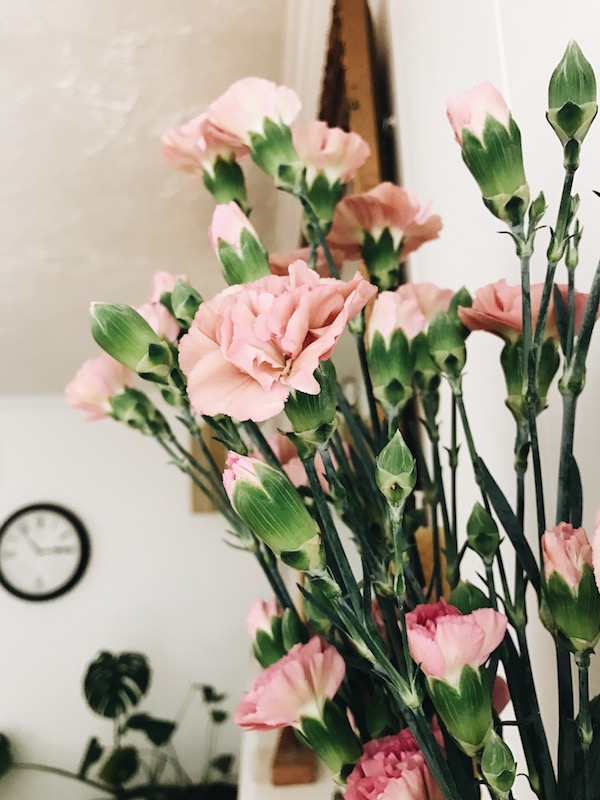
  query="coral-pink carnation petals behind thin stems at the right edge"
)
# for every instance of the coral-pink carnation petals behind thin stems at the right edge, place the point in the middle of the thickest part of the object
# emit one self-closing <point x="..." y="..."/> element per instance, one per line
<point x="497" y="308"/>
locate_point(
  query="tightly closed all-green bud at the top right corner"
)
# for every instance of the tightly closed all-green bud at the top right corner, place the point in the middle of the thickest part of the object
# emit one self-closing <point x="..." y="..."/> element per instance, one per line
<point x="572" y="103"/>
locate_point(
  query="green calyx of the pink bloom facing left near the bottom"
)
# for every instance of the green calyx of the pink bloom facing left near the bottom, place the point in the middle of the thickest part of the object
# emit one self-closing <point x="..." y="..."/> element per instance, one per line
<point x="332" y="738"/>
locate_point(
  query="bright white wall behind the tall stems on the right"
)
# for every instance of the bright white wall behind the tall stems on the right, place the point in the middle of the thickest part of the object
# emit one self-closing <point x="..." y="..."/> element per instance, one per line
<point x="438" y="50"/>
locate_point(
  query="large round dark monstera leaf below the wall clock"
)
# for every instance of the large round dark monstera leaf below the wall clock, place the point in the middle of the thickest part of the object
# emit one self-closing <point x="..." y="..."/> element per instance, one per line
<point x="115" y="683"/>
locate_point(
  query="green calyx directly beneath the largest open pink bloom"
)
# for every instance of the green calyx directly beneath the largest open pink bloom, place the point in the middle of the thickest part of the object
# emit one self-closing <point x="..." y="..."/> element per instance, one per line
<point x="313" y="416"/>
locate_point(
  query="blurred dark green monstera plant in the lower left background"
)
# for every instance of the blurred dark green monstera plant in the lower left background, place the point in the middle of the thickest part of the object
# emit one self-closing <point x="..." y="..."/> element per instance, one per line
<point x="114" y="685"/>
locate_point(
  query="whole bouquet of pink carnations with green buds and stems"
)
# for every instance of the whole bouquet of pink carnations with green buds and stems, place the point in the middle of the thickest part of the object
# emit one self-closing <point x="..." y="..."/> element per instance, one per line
<point x="388" y="659"/>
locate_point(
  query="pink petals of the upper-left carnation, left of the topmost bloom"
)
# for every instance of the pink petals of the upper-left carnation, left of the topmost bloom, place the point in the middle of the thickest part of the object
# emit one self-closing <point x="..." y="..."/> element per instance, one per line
<point x="196" y="145"/>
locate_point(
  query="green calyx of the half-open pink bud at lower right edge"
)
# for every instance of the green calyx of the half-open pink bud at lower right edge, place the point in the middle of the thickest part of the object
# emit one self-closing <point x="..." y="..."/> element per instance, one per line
<point x="576" y="614"/>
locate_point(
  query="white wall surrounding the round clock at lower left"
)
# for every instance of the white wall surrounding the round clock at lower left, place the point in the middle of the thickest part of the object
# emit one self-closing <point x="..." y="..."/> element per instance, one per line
<point x="161" y="581"/>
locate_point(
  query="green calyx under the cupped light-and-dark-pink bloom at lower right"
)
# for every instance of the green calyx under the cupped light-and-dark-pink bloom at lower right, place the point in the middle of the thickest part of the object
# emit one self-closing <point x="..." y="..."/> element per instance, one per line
<point x="465" y="709"/>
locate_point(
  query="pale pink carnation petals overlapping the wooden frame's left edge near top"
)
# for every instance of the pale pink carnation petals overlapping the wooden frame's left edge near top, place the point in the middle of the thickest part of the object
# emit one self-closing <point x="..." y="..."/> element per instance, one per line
<point x="329" y="151"/>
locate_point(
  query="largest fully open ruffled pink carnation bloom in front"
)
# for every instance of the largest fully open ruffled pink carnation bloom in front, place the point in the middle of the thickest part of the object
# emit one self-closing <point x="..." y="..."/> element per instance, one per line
<point x="249" y="346"/>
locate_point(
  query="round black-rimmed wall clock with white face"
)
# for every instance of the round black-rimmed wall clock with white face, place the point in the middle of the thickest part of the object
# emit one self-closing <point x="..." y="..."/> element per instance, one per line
<point x="44" y="551"/>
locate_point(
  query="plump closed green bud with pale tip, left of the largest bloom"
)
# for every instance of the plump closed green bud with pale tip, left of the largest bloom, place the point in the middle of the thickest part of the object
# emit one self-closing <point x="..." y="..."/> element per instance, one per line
<point x="122" y="333"/>
